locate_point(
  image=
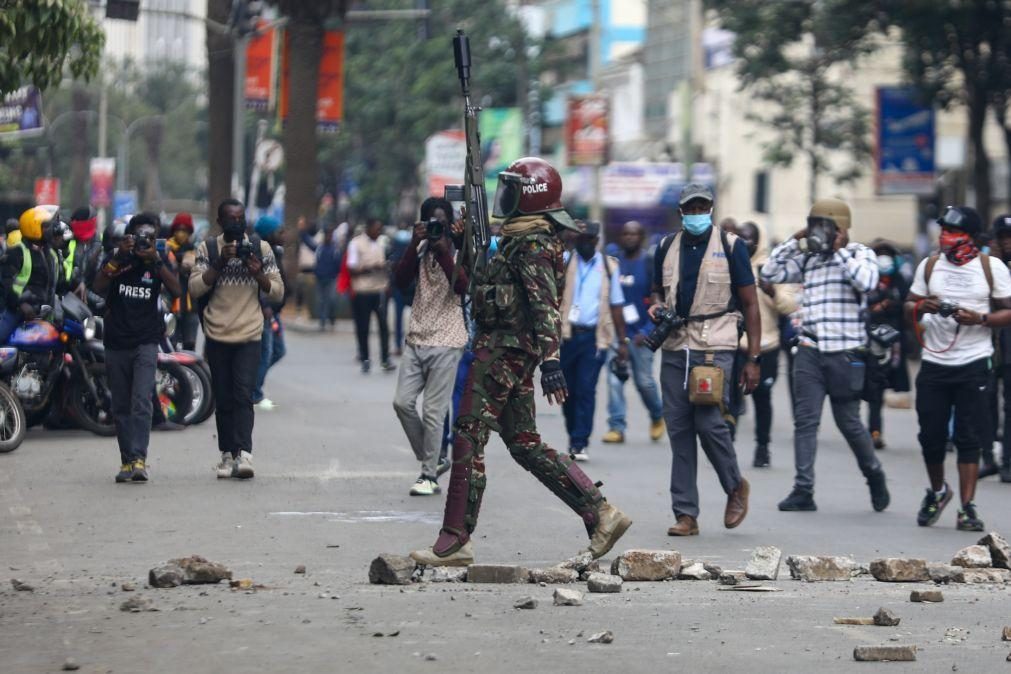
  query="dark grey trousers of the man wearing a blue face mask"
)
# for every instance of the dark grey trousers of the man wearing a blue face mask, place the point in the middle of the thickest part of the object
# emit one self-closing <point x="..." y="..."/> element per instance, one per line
<point x="687" y="422"/>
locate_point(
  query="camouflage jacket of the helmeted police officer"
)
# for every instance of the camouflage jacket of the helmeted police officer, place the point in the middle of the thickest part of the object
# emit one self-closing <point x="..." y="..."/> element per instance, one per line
<point x="533" y="264"/>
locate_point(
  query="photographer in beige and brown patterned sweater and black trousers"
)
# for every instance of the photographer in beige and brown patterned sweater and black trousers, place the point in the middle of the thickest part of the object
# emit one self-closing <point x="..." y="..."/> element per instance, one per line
<point x="230" y="274"/>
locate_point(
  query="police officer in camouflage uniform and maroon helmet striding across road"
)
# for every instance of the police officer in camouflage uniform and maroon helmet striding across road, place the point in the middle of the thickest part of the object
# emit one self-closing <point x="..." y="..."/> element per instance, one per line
<point x="516" y="309"/>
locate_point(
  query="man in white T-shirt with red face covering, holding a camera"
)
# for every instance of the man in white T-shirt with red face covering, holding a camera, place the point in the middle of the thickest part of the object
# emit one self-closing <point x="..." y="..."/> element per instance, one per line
<point x="956" y="300"/>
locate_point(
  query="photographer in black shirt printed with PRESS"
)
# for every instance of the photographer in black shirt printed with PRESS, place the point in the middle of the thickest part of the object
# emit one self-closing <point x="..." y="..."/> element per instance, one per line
<point x="132" y="281"/>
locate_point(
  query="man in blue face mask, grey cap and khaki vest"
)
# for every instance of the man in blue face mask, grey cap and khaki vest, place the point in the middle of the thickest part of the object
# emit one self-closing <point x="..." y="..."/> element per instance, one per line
<point x="705" y="276"/>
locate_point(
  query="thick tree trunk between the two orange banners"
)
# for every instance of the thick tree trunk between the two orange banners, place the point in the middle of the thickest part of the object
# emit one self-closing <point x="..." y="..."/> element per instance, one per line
<point x="306" y="49"/>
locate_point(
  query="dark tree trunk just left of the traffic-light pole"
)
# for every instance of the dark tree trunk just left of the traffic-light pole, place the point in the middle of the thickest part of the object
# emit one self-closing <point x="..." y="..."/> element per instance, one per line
<point x="221" y="103"/>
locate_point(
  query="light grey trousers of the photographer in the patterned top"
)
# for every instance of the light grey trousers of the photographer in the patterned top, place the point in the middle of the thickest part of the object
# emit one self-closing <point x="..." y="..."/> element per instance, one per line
<point x="431" y="370"/>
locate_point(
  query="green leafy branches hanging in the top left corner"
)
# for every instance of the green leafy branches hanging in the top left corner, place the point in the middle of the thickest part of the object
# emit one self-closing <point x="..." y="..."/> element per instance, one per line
<point x="39" y="38"/>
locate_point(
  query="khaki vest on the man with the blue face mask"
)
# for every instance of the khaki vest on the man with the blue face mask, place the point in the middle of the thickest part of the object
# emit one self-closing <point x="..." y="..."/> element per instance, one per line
<point x="713" y="294"/>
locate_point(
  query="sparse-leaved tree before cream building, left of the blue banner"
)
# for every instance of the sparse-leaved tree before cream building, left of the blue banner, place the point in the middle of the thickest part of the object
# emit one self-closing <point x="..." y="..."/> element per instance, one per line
<point x="794" y="57"/>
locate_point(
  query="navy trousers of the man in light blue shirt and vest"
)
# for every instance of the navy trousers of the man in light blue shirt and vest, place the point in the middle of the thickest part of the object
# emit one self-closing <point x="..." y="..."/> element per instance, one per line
<point x="581" y="363"/>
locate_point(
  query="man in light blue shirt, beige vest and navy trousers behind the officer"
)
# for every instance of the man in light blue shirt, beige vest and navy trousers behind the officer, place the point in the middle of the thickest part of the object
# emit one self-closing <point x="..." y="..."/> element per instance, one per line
<point x="592" y="319"/>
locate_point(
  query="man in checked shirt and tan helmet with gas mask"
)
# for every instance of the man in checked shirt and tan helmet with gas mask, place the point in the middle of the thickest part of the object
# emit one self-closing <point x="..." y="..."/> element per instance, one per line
<point x="831" y="361"/>
